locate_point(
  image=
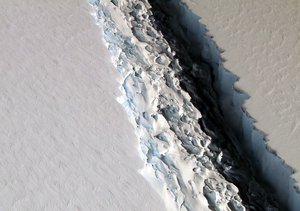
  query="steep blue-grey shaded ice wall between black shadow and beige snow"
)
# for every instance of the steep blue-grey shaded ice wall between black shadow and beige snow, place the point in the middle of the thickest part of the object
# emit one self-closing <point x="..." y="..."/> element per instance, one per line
<point x="251" y="142"/>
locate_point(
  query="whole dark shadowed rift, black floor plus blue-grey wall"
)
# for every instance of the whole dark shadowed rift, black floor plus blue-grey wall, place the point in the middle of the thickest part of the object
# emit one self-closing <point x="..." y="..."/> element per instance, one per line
<point x="263" y="179"/>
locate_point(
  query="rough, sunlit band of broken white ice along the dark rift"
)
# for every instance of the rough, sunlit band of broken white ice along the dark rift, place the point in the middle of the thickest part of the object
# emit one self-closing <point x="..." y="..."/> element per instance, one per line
<point x="178" y="160"/>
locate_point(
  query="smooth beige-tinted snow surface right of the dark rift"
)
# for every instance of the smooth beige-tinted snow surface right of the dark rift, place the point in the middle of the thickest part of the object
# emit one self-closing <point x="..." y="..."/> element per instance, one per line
<point x="261" y="40"/>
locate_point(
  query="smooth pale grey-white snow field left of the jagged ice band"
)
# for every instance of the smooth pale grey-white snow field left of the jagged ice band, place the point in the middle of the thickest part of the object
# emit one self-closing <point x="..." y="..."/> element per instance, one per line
<point x="66" y="143"/>
